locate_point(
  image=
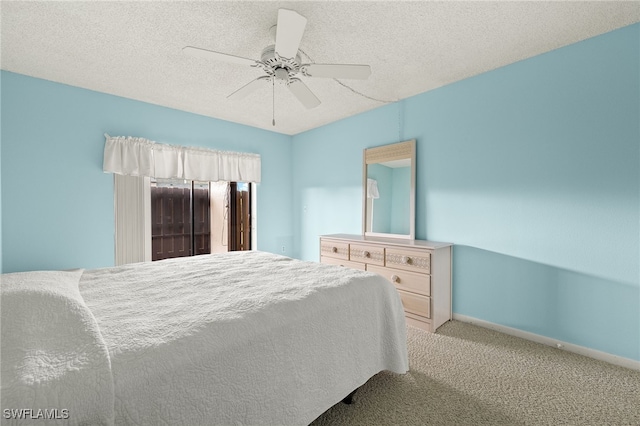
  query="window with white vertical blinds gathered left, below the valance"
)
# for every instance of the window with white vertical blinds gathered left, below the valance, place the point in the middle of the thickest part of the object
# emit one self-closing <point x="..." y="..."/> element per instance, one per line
<point x="165" y="218"/>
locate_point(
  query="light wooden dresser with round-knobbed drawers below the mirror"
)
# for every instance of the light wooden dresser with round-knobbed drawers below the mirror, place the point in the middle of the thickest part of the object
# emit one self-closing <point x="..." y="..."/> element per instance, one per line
<point x="420" y="271"/>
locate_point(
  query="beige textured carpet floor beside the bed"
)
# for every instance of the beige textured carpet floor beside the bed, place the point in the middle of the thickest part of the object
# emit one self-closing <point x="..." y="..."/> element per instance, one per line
<point x="469" y="375"/>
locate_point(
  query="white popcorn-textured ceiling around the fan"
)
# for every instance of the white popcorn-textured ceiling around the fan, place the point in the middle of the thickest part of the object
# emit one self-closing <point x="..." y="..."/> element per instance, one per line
<point x="134" y="49"/>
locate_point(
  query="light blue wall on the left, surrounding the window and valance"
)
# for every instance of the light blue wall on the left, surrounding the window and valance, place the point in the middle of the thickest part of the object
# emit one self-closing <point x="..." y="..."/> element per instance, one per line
<point x="57" y="204"/>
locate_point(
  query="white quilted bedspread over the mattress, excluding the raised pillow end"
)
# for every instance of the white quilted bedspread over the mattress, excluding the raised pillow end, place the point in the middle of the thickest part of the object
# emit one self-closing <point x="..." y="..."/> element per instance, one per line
<point x="242" y="337"/>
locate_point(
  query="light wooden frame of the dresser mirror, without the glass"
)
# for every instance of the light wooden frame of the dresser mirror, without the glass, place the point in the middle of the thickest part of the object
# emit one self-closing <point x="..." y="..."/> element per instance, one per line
<point x="381" y="154"/>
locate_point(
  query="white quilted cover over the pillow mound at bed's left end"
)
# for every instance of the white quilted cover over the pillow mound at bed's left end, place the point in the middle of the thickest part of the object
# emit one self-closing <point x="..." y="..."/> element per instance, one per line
<point x="55" y="365"/>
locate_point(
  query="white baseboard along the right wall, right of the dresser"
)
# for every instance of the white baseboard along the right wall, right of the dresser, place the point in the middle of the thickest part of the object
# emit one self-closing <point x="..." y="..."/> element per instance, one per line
<point x="591" y="353"/>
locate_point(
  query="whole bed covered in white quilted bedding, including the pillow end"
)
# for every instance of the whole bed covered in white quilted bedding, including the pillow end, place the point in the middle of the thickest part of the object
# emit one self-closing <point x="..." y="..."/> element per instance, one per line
<point x="231" y="338"/>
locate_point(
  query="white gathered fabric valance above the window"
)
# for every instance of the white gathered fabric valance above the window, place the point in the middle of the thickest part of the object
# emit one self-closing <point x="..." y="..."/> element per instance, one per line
<point x="133" y="156"/>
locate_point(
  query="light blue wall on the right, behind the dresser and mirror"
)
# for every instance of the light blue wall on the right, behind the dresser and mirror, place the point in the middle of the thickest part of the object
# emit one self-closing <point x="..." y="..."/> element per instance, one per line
<point x="532" y="170"/>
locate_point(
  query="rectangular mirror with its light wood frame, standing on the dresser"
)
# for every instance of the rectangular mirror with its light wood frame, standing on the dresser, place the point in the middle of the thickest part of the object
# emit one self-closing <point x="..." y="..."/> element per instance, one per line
<point x="389" y="175"/>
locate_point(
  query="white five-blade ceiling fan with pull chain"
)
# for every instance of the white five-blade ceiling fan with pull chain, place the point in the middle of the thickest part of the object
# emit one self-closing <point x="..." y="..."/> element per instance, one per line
<point x="282" y="62"/>
